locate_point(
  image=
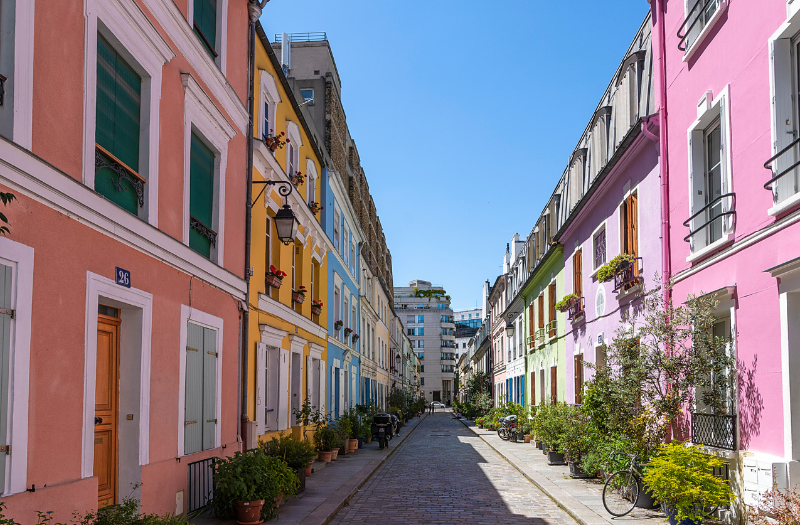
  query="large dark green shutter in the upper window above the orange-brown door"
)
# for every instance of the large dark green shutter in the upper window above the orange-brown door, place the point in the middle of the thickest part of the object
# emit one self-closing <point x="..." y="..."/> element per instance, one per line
<point x="118" y="110"/>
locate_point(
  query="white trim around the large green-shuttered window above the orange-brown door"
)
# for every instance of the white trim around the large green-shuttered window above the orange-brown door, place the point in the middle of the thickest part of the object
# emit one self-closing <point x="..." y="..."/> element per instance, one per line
<point x="133" y="35"/>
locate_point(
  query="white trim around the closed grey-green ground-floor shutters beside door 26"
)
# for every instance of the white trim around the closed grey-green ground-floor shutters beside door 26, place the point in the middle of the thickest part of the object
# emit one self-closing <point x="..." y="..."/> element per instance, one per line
<point x="214" y="323"/>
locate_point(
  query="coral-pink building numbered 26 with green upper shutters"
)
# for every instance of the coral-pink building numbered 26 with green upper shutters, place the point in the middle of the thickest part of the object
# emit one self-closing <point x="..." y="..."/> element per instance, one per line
<point x="122" y="279"/>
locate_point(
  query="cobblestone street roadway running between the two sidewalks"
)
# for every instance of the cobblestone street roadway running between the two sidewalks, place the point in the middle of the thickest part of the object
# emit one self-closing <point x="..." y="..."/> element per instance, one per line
<point x="443" y="473"/>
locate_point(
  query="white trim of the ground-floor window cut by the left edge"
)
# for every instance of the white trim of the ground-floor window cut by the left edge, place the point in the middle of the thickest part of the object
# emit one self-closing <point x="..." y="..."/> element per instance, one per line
<point x="20" y="257"/>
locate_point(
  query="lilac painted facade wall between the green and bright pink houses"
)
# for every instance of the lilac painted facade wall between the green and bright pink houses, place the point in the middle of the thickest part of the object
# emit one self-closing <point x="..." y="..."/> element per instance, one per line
<point x="639" y="169"/>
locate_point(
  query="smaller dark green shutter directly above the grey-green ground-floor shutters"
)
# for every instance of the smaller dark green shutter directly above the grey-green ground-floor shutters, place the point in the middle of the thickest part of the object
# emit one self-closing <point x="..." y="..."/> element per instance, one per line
<point x="201" y="193"/>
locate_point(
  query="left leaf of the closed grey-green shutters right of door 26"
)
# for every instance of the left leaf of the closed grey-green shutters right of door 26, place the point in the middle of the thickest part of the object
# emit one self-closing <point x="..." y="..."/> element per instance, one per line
<point x="193" y="411"/>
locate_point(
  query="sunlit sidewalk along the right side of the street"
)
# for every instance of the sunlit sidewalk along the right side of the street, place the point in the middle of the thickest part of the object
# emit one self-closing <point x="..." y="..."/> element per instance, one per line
<point x="581" y="498"/>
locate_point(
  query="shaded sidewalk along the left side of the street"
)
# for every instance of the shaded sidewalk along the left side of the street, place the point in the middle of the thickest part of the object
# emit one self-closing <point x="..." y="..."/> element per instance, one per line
<point x="331" y="485"/>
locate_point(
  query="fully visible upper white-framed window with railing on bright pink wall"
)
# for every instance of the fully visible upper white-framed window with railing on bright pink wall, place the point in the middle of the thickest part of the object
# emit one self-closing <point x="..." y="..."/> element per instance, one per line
<point x="711" y="200"/>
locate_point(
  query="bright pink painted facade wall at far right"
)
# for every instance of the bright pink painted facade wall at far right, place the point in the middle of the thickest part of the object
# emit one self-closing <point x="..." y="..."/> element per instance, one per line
<point x="736" y="55"/>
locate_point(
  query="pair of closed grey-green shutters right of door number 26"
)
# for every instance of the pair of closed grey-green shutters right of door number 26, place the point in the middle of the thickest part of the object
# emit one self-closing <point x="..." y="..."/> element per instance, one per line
<point x="200" y="411"/>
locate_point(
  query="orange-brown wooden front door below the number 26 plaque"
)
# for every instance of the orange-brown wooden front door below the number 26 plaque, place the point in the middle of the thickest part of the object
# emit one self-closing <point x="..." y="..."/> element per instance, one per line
<point x="106" y="405"/>
